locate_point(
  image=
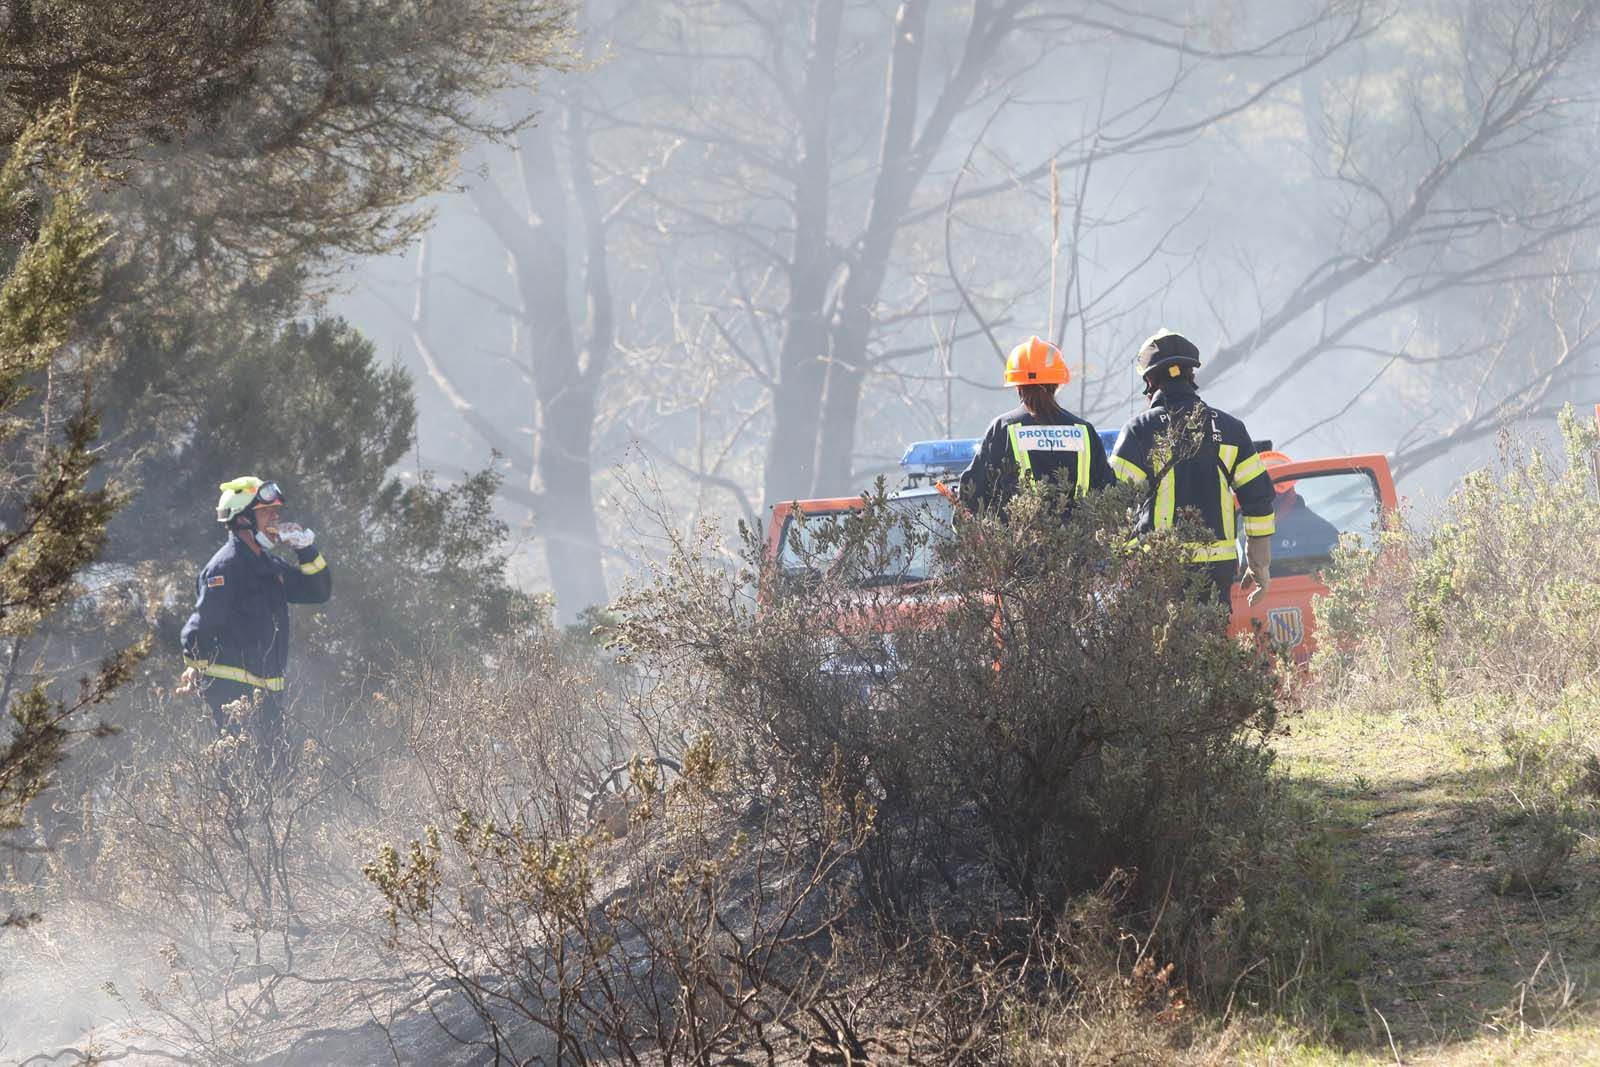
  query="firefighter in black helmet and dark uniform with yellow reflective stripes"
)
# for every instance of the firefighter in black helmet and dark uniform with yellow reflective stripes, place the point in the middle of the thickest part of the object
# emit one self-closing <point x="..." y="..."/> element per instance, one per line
<point x="1193" y="458"/>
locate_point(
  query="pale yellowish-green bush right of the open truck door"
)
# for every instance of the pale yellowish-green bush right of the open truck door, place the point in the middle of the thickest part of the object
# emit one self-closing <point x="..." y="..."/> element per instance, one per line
<point x="1495" y="597"/>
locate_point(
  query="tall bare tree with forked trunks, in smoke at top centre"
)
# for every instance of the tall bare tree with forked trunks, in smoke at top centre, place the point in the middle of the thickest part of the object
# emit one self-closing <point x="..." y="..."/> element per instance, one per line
<point x="841" y="225"/>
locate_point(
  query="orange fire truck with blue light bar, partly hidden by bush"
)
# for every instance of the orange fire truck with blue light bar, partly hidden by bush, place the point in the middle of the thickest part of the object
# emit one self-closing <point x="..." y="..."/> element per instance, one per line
<point x="1318" y="503"/>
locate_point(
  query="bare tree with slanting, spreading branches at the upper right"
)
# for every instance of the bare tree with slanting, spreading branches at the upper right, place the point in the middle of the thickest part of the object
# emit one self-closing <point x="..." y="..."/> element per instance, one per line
<point x="1462" y="231"/>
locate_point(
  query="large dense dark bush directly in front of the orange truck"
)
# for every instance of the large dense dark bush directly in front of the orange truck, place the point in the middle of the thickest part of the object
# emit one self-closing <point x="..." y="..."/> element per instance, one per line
<point x="1050" y="711"/>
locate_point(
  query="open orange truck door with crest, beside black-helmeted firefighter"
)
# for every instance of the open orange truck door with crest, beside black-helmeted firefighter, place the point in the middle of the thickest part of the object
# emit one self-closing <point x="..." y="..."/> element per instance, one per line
<point x="1318" y="503"/>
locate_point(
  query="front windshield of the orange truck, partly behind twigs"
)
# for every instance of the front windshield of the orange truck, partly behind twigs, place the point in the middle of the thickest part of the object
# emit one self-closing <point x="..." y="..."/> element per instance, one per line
<point x="814" y="546"/>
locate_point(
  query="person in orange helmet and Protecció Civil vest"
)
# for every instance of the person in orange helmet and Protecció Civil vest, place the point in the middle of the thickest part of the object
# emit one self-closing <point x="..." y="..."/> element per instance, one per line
<point x="1036" y="441"/>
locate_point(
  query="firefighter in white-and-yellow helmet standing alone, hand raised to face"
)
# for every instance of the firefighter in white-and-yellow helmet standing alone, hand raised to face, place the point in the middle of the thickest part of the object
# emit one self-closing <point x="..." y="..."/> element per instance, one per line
<point x="238" y="641"/>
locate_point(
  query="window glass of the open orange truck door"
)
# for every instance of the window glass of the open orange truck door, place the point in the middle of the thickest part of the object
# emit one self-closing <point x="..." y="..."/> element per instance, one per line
<point x="1313" y="511"/>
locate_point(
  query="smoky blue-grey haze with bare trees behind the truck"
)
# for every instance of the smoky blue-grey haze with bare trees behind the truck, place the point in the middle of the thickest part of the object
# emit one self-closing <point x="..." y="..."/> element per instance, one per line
<point x="751" y="228"/>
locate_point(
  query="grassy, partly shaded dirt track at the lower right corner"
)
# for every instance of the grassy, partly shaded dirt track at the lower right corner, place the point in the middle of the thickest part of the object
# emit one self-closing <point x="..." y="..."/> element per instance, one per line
<point x="1450" y="959"/>
